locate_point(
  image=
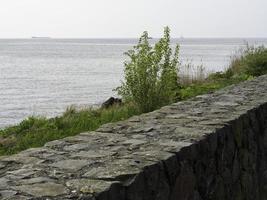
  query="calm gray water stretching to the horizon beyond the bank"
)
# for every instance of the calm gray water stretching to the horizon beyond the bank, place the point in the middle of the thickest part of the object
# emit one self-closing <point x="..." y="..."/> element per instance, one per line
<point x="44" y="76"/>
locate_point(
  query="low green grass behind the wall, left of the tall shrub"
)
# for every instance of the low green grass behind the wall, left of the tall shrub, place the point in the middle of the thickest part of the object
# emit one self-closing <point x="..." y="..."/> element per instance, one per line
<point x="36" y="131"/>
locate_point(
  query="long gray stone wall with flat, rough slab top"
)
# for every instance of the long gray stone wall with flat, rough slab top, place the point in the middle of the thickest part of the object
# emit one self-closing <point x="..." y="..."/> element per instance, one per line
<point x="211" y="147"/>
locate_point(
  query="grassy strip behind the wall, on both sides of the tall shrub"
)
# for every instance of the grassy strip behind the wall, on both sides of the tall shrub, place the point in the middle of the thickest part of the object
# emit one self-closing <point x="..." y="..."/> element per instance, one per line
<point x="36" y="131"/>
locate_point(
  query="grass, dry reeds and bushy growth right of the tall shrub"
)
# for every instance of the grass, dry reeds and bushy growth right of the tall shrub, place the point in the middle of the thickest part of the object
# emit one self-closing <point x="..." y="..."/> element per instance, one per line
<point x="250" y="62"/>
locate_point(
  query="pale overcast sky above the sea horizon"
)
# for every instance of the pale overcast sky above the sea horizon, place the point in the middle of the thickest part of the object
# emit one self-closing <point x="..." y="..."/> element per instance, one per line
<point x="129" y="18"/>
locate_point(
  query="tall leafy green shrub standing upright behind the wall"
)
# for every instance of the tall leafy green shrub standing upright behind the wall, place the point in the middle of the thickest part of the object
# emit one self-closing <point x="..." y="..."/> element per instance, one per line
<point x="151" y="74"/>
